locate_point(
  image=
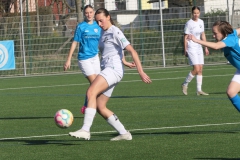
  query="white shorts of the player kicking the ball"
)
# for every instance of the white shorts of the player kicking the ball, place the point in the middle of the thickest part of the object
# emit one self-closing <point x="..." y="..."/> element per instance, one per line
<point x="112" y="77"/>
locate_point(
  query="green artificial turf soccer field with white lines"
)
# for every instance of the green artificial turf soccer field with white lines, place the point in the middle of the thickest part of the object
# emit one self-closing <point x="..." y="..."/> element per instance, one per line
<point x="164" y="123"/>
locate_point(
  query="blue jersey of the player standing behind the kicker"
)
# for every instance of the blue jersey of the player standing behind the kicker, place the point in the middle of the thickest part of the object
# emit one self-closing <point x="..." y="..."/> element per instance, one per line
<point x="88" y="36"/>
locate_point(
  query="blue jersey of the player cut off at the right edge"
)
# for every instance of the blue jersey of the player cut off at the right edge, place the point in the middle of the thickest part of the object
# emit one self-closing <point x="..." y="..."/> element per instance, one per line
<point x="232" y="49"/>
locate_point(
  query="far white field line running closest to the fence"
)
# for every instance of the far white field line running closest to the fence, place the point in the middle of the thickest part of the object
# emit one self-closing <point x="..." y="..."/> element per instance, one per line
<point x="139" y="80"/>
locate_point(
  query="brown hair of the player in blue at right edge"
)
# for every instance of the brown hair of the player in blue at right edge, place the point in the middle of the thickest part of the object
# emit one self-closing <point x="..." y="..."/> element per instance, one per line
<point x="224" y="27"/>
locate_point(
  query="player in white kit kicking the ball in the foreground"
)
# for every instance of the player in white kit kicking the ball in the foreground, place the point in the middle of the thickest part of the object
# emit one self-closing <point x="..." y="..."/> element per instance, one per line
<point x="111" y="45"/>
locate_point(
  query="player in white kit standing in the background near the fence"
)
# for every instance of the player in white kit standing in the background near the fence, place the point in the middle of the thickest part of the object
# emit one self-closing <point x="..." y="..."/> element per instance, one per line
<point x="194" y="51"/>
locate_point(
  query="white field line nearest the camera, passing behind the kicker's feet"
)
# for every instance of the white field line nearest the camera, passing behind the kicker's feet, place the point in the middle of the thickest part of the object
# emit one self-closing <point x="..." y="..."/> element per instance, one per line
<point x="144" y="129"/>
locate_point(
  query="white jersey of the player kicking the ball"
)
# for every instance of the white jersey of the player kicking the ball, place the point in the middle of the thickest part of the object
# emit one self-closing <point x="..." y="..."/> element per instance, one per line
<point x="111" y="45"/>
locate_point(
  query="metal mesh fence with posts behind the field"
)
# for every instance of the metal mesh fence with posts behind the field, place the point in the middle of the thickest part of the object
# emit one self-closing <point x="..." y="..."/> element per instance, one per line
<point x="42" y="38"/>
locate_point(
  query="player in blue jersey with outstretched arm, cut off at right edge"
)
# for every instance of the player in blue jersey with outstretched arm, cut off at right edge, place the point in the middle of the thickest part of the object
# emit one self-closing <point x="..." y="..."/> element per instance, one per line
<point x="229" y="42"/>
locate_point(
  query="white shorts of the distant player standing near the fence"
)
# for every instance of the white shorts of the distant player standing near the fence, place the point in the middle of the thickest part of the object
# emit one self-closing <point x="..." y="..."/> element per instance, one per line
<point x="195" y="57"/>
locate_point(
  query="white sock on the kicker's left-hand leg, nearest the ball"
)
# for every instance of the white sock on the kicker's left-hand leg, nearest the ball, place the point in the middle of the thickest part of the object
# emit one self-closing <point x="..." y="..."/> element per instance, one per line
<point x="88" y="118"/>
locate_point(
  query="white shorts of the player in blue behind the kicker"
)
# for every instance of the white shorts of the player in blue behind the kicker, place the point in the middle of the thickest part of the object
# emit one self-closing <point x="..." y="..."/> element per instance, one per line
<point x="90" y="66"/>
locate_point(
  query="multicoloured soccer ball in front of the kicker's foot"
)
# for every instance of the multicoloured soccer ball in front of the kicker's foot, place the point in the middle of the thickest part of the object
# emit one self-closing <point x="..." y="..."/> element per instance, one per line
<point x="63" y="118"/>
